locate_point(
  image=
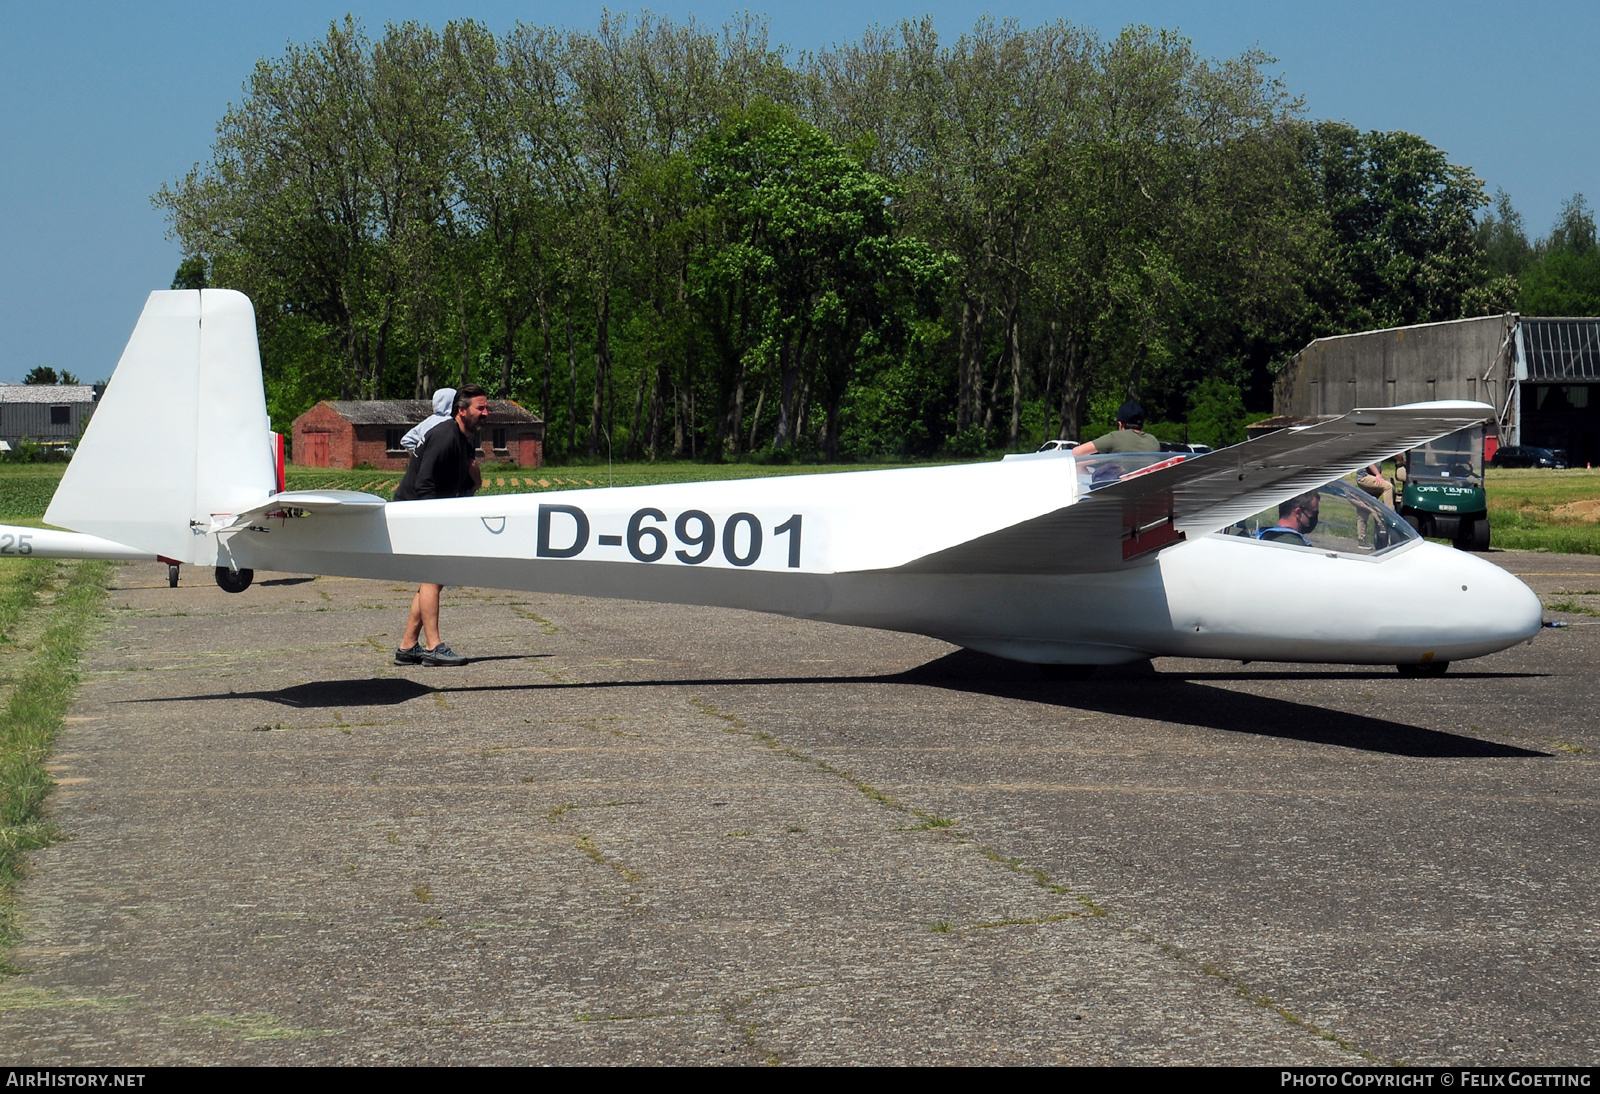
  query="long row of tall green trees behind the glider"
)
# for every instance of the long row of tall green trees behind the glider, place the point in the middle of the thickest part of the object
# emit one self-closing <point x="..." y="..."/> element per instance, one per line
<point x="678" y="241"/>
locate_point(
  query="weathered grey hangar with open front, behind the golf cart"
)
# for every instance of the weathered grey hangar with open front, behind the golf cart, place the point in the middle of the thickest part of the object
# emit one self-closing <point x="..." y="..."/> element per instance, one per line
<point x="1542" y="377"/>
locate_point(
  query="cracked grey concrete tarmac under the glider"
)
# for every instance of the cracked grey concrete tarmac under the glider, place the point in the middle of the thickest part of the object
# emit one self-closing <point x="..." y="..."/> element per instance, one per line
<point x="649" y="834"/>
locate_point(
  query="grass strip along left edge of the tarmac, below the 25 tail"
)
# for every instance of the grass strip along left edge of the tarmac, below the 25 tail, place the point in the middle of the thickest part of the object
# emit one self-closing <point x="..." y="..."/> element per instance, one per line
<point x="33" y="716"/>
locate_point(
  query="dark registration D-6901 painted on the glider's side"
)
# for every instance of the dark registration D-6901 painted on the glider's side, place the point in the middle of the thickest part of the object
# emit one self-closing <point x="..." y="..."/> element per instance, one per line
<point x="652" y="535"/>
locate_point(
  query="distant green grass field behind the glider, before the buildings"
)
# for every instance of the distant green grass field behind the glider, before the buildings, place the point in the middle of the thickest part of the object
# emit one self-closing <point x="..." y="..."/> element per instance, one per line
<point x="1530" y="509"/>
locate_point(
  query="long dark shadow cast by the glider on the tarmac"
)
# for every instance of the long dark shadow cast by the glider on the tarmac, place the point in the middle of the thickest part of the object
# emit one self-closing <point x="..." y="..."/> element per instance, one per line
<point x="1132" y="693"/>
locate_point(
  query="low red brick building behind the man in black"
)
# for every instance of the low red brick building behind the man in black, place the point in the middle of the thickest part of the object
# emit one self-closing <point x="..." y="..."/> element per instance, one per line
<point x="345" y="434"/>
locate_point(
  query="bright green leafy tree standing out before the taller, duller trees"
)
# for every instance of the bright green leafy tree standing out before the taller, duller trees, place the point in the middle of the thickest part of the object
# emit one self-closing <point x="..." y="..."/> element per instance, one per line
<point x="802" y="266"/>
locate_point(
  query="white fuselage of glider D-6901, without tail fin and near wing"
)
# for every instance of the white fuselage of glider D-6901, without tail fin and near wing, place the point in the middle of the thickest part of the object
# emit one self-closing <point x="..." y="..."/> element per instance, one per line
<point x="817" y="548"/>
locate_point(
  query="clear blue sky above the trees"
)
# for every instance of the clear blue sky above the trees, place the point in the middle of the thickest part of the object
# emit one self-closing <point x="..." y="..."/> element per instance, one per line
<point x="102" y="103"/>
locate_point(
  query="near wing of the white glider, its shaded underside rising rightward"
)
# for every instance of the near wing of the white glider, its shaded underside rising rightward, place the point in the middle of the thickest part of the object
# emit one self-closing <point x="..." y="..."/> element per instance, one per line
<point x="1201" y="495"/>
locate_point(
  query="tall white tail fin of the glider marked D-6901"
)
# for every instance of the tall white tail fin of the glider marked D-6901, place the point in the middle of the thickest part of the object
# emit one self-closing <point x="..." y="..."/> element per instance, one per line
<point x="182" y="434"/>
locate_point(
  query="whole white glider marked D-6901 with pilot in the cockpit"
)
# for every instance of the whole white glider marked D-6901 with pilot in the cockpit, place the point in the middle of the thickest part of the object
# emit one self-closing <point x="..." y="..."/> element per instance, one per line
<point x="1044" y="559"/>
